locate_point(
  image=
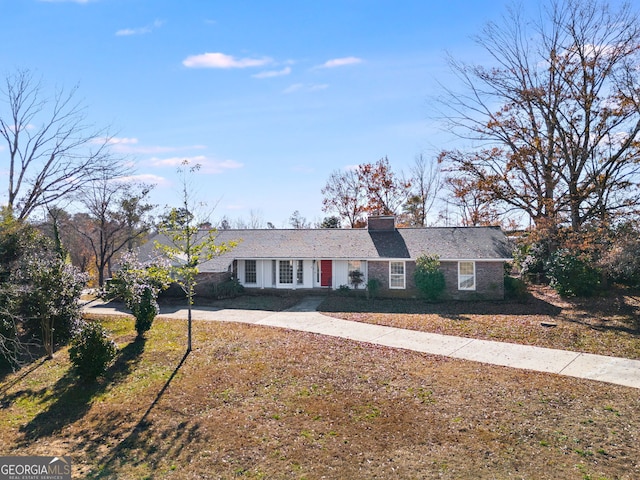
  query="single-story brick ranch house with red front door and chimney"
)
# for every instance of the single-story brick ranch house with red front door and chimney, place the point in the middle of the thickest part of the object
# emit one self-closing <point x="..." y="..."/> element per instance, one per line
<point x="472" y="258"/>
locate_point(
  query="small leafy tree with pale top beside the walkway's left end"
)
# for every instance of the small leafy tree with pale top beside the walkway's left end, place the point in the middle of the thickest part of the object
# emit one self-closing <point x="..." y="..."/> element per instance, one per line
<point x="138" y="285"/>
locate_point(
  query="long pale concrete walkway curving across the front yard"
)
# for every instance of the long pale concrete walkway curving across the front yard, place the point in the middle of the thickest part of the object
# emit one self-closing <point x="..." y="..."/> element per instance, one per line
<point x="304" y="317"/>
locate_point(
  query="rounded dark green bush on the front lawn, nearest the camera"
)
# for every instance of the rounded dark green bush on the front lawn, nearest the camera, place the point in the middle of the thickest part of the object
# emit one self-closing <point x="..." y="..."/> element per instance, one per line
<point x="92" y="351"/>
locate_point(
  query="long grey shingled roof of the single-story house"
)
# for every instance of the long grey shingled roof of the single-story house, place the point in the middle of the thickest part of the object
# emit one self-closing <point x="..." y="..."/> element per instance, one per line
<point x="449" y="243"/>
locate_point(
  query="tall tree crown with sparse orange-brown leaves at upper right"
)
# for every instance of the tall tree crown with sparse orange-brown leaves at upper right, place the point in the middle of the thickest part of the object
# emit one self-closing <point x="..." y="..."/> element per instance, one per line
<point x="557" y="115"/>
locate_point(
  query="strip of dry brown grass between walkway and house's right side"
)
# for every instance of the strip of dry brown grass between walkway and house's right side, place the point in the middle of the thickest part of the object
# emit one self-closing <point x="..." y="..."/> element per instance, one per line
<point x="605" y="326"/>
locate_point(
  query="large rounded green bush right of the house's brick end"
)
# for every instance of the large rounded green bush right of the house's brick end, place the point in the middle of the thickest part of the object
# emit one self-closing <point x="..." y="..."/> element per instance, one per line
<point x="572" y="274"/>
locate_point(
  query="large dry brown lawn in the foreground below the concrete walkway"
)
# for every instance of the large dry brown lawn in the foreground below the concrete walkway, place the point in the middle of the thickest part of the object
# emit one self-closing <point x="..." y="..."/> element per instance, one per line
<point x="256" y="402"/>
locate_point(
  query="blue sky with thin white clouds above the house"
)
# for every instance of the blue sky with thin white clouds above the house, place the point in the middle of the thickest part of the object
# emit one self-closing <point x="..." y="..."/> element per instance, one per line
<point x="269" y="96"/>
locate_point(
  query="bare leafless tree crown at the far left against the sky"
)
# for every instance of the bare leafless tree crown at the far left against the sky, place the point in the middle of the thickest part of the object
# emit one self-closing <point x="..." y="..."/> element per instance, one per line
<point x="52" y="151"/>
